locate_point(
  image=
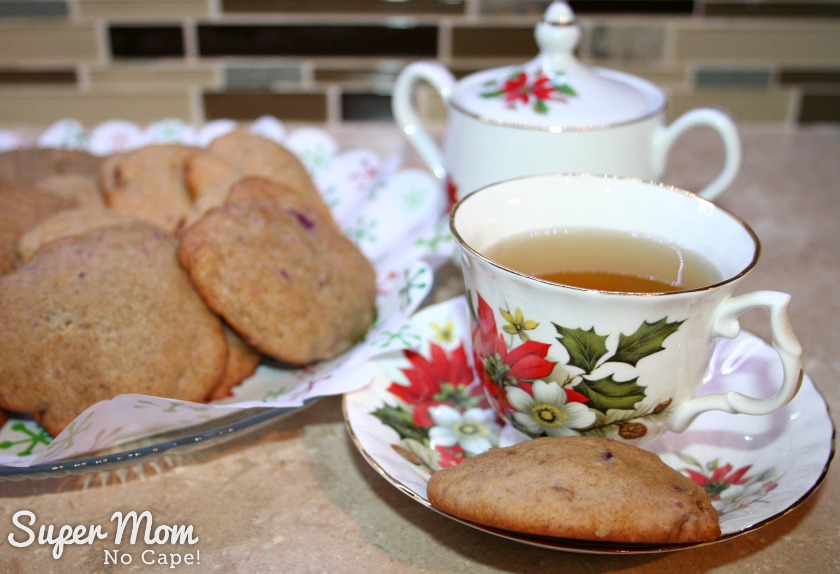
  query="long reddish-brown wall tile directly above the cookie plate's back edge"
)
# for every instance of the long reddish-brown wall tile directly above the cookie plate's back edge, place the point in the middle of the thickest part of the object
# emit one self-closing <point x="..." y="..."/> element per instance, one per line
<point x="245" y="106"/>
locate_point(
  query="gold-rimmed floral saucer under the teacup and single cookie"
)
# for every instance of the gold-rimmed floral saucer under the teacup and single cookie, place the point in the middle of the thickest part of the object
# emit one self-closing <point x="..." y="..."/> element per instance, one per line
<point x="424" y="411"/>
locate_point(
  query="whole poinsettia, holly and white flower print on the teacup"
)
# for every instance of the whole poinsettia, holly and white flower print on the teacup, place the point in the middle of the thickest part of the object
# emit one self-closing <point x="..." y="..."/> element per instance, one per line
<point x="544" y="397"/>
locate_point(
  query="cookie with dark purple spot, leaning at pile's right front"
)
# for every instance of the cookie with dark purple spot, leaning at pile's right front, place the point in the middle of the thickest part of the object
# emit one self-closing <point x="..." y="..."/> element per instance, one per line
<point x="280" y="272"/>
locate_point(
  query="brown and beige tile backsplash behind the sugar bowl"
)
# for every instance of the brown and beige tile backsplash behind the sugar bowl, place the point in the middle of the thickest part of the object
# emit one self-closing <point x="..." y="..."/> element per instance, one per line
<point x="765" y="61"/>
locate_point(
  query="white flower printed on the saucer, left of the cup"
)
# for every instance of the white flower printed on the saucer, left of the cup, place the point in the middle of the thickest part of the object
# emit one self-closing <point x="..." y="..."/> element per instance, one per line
<point x="475" y="430"/>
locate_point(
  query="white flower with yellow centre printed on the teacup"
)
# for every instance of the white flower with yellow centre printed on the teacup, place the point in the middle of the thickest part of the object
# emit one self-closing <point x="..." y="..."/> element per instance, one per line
<point x="547" y="410"/>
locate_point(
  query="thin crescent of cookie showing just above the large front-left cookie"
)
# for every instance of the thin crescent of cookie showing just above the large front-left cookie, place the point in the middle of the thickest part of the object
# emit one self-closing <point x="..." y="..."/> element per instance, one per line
<point x="68" y="222"/>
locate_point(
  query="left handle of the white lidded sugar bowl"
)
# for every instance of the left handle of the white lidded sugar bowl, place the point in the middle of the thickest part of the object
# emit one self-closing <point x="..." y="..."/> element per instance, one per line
<point x="402" y="106"/>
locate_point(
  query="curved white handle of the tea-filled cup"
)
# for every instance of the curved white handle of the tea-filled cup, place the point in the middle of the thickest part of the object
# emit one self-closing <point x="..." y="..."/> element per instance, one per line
<point x="725" y="324"/>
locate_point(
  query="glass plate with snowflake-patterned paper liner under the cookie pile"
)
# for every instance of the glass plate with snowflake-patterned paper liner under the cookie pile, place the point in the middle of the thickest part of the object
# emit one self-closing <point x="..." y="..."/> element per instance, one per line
<point x="395" y="215"/>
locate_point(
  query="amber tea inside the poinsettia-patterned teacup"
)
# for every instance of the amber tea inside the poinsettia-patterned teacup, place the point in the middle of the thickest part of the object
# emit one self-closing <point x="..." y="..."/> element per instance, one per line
<point x="604" y="260"/>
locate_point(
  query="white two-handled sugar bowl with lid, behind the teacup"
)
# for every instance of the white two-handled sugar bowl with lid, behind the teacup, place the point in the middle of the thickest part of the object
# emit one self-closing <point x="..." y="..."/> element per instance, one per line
<point x="552" y="114"/>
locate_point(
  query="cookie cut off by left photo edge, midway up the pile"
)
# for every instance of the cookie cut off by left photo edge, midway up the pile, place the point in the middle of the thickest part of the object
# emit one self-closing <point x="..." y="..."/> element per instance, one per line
<point x="21" y="209"/>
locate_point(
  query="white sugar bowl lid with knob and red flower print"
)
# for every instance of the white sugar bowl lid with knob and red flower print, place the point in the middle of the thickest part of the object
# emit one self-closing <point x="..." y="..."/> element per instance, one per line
<point x="555" y="90"/>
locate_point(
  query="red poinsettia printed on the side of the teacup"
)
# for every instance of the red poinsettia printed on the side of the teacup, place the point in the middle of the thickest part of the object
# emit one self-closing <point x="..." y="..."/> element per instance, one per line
<point x="497" y="366"/>
